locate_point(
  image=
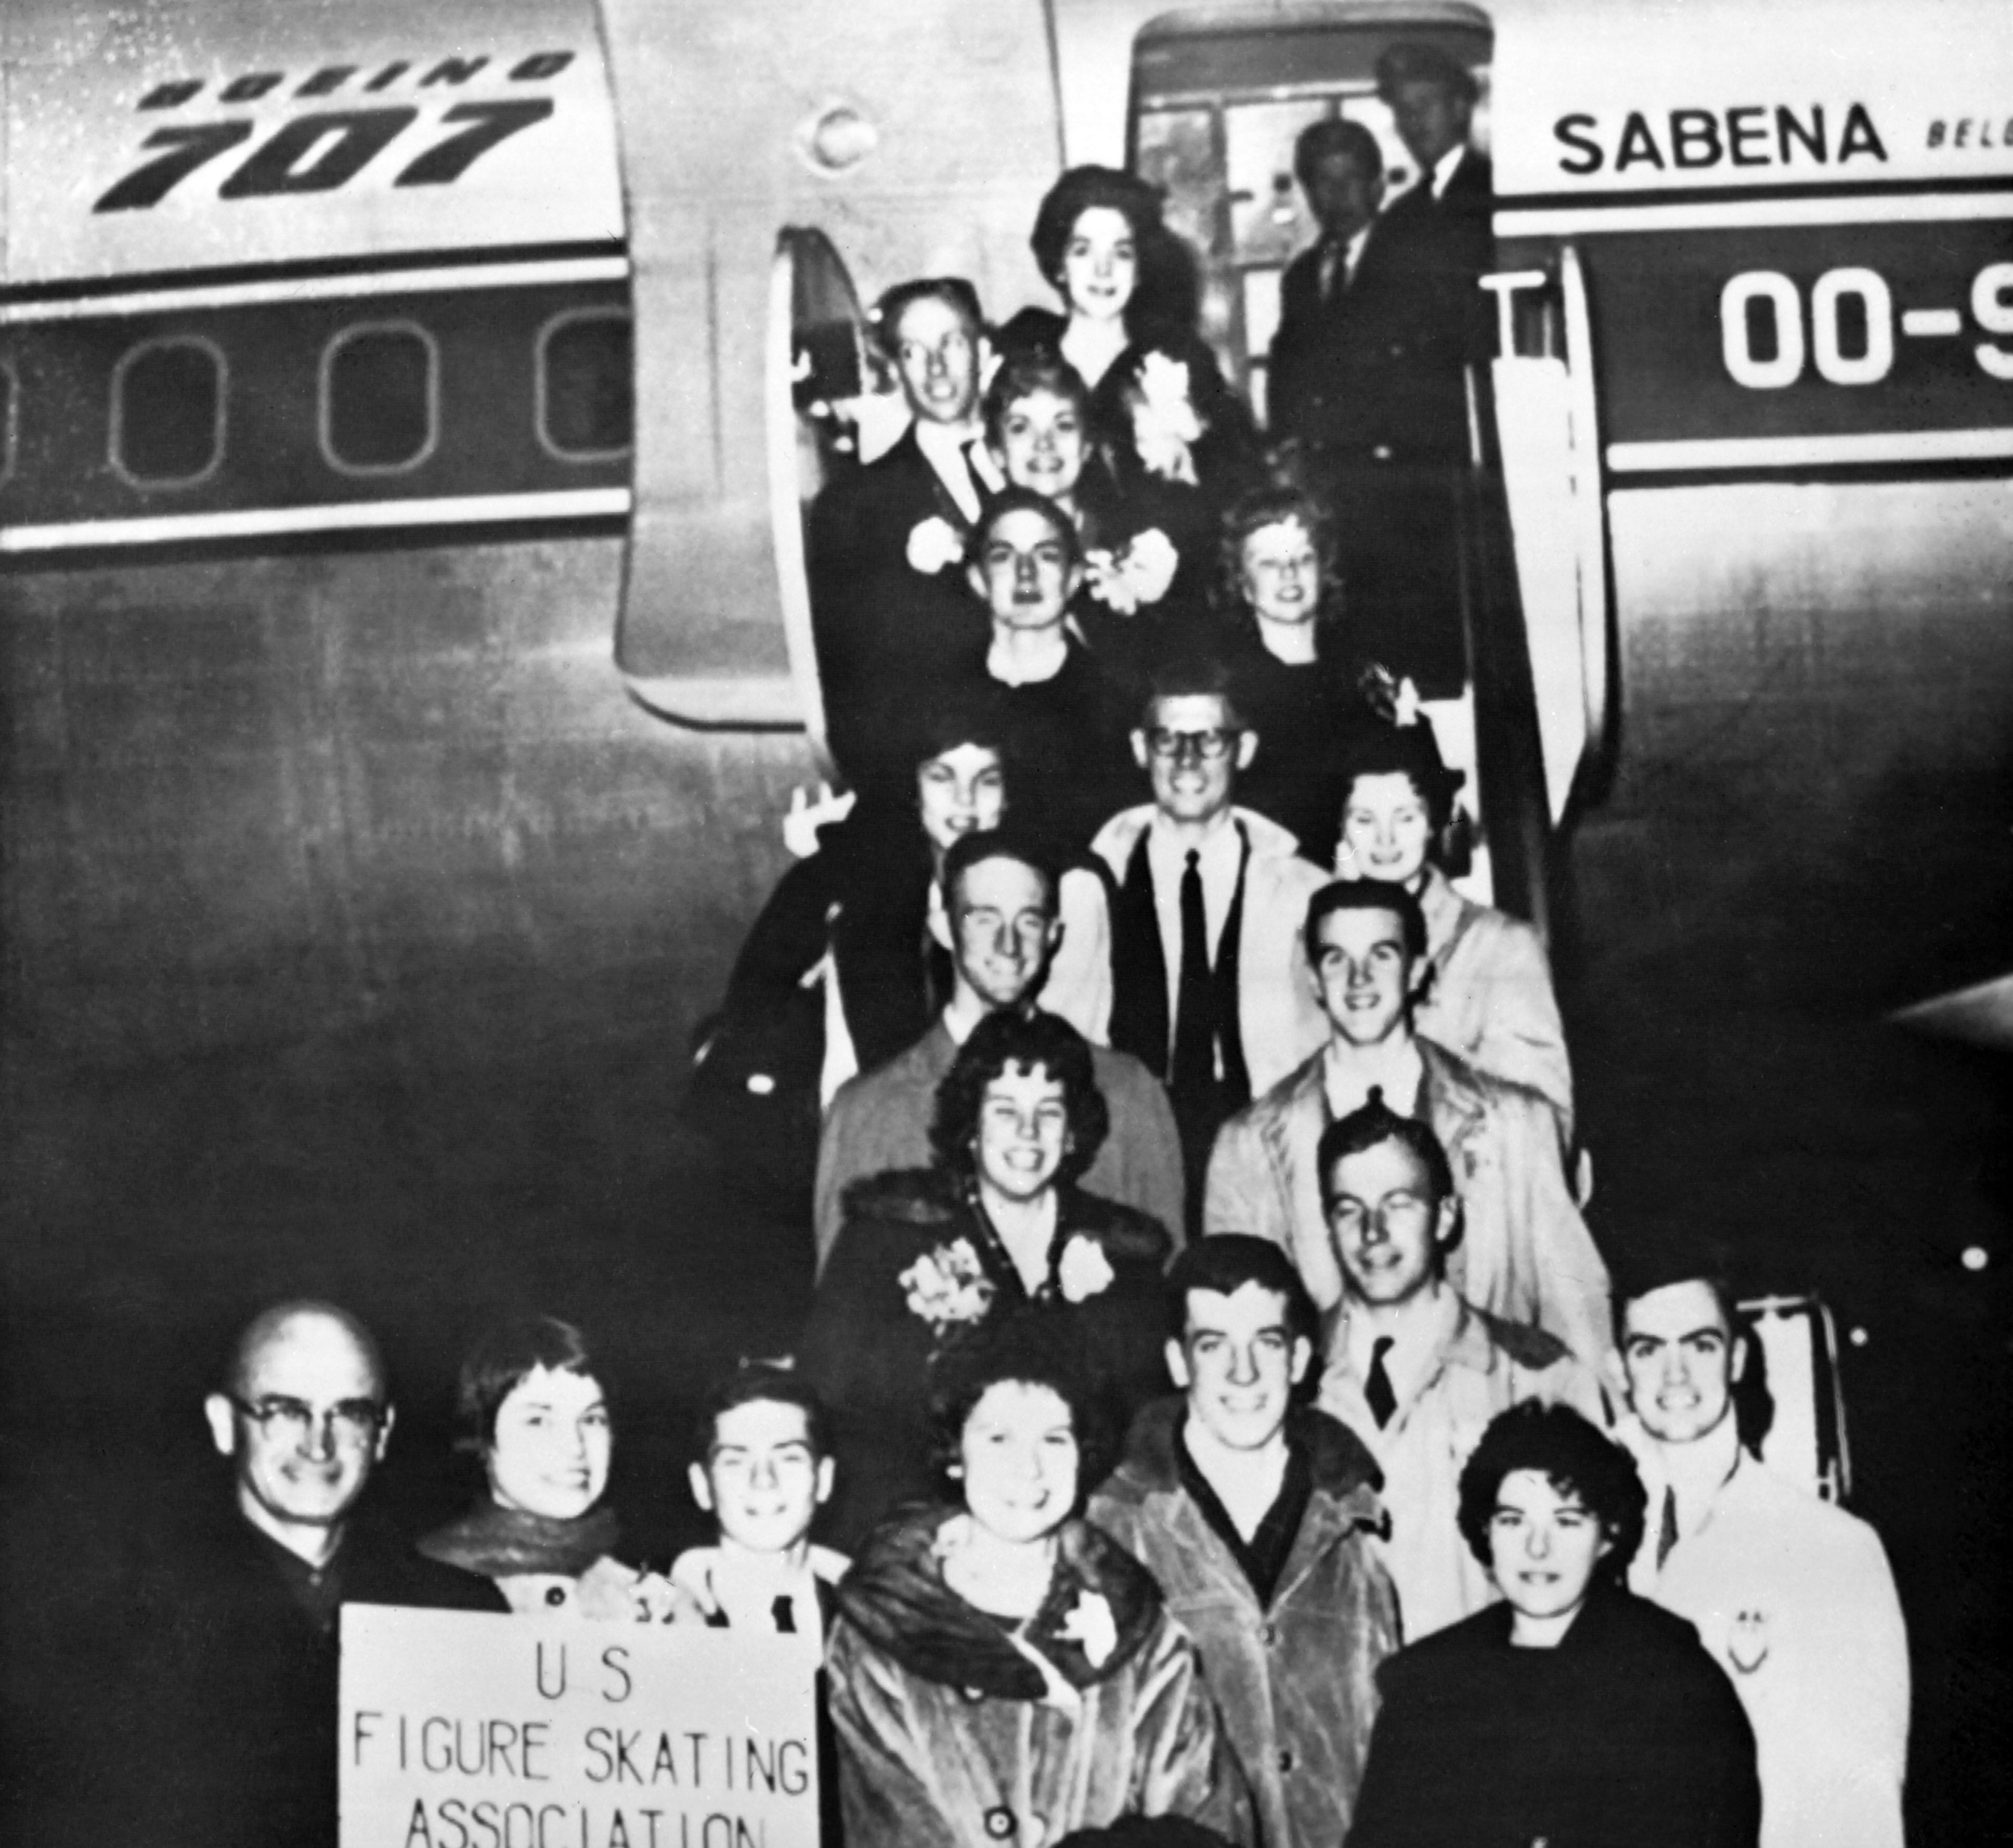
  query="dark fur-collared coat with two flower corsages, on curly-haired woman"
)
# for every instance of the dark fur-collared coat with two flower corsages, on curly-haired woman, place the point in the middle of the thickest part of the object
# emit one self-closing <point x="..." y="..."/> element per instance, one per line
<point x="873" y="1330"/>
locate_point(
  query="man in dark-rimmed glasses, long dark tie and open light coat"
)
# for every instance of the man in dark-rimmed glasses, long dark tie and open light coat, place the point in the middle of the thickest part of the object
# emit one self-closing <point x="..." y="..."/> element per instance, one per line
<point x="1209" y="977"/>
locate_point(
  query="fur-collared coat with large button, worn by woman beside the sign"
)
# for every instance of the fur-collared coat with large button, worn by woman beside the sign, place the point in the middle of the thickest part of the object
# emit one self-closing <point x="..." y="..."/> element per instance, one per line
<point x="959" y="1730"/>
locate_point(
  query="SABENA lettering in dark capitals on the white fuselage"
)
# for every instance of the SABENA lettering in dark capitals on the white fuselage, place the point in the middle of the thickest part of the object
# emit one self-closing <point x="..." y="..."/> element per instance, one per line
<point x="1700" y="140"/>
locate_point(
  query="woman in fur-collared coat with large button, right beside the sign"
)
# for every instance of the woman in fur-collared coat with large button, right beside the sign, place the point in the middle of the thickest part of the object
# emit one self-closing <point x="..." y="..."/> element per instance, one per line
<point x="1001" y="1672"/>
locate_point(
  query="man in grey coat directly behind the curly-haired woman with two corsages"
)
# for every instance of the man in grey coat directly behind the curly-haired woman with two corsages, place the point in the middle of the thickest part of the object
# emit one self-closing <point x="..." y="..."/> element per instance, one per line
<point x="1001" y="929"/>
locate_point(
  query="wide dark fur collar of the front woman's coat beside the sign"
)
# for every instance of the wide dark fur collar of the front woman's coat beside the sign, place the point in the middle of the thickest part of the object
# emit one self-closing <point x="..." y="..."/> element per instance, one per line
<point x="899" y="1601"/>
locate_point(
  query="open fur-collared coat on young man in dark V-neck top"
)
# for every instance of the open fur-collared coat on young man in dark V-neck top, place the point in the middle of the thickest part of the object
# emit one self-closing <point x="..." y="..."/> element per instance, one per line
<point x="1293" y="1680"/>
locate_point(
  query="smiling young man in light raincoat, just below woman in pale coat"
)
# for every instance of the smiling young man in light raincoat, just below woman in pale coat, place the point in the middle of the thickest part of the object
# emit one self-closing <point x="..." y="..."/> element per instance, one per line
<point x="1527" y="1253"/>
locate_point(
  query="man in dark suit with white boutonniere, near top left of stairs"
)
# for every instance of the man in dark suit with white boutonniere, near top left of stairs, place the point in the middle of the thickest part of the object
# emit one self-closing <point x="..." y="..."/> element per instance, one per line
<point x="881" y="625"/>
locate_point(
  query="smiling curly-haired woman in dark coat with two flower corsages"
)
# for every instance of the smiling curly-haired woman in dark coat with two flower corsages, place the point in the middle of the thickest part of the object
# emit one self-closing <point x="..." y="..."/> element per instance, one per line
<point x="993" y="1227"/>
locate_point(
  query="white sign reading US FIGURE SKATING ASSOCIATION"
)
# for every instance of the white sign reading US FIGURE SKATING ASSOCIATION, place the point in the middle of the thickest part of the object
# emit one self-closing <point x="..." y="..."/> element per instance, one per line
<point x="502" y="1732"/>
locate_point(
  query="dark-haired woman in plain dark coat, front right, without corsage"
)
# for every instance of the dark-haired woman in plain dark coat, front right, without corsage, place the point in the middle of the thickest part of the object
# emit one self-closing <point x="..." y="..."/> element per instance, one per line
<point x="1573" y="1712"/>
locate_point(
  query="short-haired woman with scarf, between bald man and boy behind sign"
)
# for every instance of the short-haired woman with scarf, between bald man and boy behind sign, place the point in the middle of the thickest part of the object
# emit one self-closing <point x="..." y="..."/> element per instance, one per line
<point x="534" y="1408"/>
